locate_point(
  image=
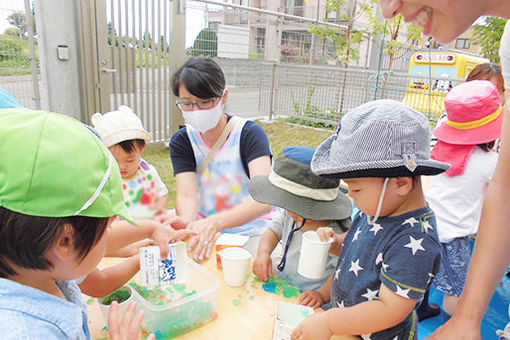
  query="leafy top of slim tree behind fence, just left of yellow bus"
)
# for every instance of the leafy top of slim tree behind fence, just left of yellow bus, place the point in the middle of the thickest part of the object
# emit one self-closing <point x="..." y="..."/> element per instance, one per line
<point x="390" y="29"/>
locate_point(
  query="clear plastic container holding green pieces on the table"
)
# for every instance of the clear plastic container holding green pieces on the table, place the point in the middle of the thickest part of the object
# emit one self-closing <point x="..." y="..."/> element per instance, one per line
<point x="176" y="309"/>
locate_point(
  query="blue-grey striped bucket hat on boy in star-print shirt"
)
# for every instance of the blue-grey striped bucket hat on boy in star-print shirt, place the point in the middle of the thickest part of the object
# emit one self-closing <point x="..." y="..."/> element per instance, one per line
<point x="381" y="138"/>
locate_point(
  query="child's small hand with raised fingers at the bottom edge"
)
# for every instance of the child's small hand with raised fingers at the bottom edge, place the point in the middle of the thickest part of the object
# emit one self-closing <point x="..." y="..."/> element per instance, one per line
<point x="129" y="328"/>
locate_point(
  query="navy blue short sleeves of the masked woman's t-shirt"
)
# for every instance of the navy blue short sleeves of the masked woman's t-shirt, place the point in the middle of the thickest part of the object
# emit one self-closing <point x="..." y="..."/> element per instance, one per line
<point x="253" y="144"/>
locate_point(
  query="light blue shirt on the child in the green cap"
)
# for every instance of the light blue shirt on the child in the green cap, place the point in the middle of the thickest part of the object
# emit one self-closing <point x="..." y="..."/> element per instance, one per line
<point x="29" y="313"/>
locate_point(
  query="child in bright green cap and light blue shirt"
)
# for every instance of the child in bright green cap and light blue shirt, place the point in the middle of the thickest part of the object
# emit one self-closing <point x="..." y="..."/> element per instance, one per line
<point x="54" y="221"/>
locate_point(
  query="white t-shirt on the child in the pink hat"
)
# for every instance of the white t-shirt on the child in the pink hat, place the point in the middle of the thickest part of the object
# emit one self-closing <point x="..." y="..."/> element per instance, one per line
<point x="457" y="201"/>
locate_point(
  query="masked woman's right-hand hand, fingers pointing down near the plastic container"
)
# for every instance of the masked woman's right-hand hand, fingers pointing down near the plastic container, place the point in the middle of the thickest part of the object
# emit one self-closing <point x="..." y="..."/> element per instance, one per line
<point x="201" y="244"/>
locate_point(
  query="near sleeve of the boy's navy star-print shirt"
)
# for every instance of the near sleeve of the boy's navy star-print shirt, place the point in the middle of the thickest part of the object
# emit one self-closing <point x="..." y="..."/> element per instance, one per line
<point x="410" y="263"/>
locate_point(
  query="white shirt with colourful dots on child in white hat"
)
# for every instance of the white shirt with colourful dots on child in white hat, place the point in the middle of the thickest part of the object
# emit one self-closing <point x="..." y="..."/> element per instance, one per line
<point x="142" y="191"/>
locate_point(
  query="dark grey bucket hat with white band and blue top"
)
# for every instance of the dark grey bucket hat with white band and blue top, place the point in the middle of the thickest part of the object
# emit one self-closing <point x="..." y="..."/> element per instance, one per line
<point x="293" y="186"/>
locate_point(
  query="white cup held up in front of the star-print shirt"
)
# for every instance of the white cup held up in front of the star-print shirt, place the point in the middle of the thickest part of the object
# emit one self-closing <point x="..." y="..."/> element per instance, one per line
<point x="313" y="255"/>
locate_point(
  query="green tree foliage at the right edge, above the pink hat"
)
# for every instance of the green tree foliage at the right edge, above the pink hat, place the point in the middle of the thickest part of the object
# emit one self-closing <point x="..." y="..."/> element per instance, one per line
<point x="487" y="34"/>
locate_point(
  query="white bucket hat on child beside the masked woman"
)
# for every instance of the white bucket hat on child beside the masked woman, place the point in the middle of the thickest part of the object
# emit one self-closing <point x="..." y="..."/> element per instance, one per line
<point x="118" y="126"/>
